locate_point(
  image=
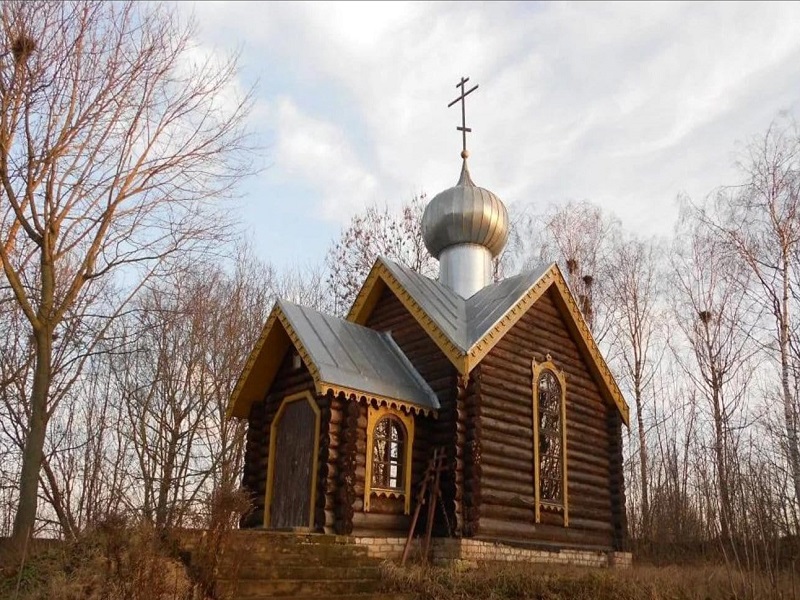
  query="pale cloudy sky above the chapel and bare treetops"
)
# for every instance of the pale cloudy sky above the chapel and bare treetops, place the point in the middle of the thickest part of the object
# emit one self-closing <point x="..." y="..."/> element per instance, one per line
<point x="624" y="104"/>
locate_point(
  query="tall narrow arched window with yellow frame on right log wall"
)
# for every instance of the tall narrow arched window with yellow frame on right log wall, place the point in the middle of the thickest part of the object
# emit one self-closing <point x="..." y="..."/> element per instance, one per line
<point x="550" y="439"/>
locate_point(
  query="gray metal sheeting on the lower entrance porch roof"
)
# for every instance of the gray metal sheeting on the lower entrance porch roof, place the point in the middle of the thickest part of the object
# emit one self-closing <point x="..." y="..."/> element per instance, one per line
<point x="355" y="357"/>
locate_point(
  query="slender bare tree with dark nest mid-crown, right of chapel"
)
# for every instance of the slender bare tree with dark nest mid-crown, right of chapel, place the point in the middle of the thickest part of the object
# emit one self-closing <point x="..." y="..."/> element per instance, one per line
<point x="717" y="318"/>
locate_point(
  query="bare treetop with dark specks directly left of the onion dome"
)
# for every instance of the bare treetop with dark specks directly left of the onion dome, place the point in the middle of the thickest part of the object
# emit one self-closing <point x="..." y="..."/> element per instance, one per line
<point x="377" y="232"/>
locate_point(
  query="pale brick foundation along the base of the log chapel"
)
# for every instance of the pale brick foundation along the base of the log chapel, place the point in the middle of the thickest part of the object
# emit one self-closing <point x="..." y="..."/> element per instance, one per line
<point x="453" y="549"/>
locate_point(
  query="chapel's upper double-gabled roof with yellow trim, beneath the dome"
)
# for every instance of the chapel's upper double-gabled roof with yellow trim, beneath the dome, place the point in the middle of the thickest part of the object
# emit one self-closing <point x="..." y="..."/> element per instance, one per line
<point x="467" y="329"/>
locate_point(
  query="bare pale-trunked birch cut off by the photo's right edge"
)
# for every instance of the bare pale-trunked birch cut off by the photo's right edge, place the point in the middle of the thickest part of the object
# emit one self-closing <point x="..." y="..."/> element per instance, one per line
<point x="759" y="223"/>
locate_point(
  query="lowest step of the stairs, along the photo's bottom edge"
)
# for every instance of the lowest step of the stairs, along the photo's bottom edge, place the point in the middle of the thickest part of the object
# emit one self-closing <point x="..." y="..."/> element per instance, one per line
<point x="251" y="589"/>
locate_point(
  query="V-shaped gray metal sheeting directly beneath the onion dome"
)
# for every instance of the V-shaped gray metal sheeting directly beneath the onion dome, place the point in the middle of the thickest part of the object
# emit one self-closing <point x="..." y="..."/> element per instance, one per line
<point x="464" y="321"/>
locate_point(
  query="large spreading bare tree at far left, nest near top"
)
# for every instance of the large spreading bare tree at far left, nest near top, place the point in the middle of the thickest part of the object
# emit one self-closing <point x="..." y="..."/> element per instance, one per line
<point x="111" y="141"/>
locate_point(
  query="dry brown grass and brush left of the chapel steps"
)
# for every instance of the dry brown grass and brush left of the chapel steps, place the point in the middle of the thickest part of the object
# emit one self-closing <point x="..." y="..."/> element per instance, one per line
<point x="122" y="560"/>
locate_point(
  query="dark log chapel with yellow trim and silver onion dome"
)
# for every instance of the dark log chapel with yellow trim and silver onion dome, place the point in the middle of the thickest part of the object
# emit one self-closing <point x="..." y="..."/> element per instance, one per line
<point x="344" y="413"/>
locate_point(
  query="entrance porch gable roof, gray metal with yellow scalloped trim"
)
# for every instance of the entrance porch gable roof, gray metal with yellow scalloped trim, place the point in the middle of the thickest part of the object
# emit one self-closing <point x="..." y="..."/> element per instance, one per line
<point x="340" y="355"/>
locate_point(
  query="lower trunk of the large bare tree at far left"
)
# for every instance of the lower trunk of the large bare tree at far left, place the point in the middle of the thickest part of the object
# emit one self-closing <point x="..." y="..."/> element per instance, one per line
<point x="33" y="453"/>
